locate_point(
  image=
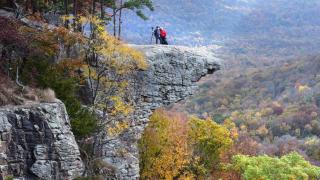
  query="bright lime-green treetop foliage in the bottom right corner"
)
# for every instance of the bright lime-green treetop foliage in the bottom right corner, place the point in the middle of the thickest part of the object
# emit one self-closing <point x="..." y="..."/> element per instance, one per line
<point x="291" y="166"/>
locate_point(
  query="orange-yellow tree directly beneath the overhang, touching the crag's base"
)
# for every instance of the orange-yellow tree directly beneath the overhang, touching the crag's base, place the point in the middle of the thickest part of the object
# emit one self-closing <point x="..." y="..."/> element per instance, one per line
<point x="164" y="148"/>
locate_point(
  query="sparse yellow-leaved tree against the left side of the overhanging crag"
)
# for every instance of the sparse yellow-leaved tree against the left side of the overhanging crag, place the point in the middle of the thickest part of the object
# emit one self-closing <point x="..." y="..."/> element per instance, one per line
<point x="109" y="63"/>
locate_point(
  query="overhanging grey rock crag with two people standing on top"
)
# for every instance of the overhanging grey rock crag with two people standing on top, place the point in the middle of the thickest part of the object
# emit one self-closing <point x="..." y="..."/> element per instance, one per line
<point x="172" y="76"/>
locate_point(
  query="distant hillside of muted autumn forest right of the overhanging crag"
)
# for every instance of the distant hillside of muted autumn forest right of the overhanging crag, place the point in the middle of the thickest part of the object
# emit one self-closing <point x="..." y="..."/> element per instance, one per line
<point x="276" y="109"/>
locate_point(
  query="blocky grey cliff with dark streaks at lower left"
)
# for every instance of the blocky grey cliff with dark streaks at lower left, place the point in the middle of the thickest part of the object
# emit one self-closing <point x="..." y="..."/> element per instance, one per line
<point x="37" y="143"/>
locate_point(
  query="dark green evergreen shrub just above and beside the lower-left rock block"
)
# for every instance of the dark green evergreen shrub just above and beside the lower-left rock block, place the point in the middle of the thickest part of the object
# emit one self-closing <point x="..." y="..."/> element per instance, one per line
<point x="43" y="74"/>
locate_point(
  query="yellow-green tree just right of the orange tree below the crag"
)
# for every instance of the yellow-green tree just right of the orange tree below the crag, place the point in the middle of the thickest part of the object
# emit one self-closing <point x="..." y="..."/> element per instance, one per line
<point x="208" y="140"/>
